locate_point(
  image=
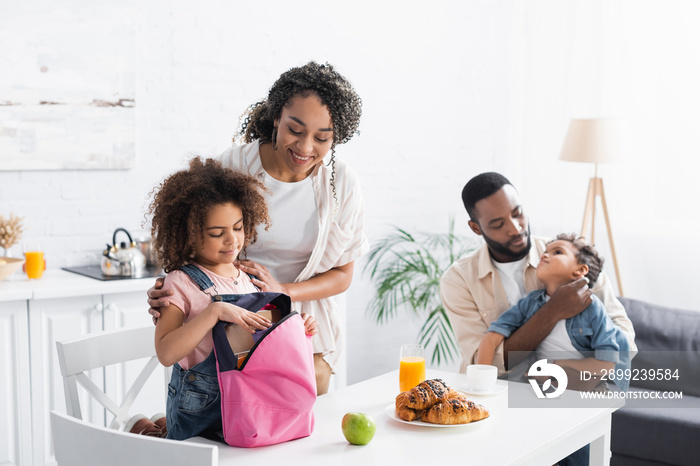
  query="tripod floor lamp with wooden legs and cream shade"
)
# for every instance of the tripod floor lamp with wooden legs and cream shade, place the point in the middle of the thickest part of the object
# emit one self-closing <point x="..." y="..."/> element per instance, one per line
<point x="596" y="140"/>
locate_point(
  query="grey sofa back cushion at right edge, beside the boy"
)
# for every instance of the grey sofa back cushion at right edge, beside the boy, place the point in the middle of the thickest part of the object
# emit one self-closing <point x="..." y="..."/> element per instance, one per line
<point x="667" y="339"/>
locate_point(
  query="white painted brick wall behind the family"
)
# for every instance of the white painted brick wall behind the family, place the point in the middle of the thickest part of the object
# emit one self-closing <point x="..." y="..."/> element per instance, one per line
<point x="447" y="92"/>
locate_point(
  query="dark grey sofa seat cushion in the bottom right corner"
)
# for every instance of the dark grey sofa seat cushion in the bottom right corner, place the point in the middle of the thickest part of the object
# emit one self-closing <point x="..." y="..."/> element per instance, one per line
<point x="663" y="435"/>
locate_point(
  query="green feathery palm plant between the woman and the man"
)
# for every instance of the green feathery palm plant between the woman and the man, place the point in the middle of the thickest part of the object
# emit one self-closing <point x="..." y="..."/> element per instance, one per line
<point x="406" y="269"/>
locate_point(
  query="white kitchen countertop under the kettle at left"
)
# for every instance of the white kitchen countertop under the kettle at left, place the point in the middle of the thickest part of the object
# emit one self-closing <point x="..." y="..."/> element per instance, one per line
<point x="59" y="283"/>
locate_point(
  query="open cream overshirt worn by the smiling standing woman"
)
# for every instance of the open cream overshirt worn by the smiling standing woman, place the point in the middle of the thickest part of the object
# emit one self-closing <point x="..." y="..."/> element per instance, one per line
<point x="341" y="237"/>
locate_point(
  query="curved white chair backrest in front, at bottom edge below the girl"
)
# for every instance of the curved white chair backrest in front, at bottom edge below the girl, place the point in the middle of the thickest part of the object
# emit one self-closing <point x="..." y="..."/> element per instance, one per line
<point x="79" y="443"/>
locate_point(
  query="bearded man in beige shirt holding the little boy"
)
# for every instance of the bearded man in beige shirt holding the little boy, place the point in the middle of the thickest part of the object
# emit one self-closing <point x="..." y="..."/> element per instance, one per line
<point x="476" y="289"/>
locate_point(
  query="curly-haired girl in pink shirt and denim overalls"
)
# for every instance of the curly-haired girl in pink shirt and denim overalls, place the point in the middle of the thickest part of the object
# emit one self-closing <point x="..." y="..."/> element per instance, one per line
<point x="203" y="218"/>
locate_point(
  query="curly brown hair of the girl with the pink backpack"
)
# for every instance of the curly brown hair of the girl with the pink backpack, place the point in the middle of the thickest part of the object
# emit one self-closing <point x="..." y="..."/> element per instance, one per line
<point x="181" y="203"/>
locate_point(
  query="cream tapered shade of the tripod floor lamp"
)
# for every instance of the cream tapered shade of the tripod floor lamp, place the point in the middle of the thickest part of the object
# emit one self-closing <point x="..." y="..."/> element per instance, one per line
<point x="593" y="140"/>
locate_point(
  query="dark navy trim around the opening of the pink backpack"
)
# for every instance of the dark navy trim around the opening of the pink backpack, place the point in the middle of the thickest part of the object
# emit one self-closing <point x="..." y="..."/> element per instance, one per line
<point x="225" y="357"/>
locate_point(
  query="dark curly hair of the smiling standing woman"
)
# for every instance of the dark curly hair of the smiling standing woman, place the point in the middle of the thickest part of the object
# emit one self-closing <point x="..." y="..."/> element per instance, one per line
<point x="335" y="92"/>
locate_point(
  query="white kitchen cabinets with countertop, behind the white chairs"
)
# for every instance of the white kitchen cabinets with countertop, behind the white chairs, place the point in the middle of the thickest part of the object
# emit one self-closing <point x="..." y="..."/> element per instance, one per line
<point x="33" y="316"/>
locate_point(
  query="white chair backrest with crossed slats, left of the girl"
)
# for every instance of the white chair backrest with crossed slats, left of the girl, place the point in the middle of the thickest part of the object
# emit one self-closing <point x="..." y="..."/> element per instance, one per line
<point x="98" y="350"/>
